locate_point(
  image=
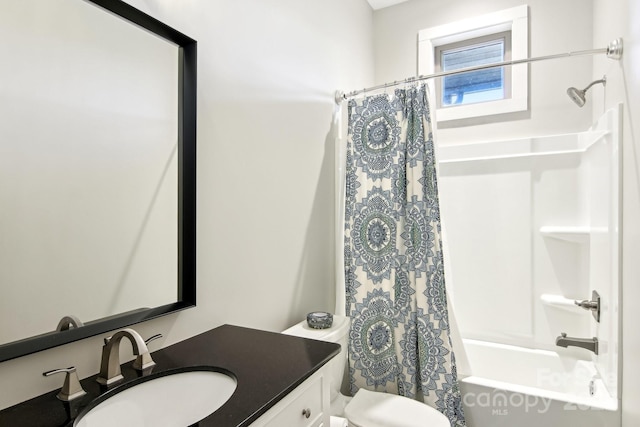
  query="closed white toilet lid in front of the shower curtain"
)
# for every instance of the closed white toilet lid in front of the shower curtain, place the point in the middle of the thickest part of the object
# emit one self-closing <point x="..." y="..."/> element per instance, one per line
<point x="375" y="409"/>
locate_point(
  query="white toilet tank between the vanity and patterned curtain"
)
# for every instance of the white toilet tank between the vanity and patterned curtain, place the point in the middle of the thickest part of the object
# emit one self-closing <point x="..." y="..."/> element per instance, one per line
<point x="337" y="333"/>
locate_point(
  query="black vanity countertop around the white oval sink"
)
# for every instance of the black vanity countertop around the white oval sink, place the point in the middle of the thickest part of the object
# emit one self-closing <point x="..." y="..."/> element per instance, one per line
<point x="267" y="366"/>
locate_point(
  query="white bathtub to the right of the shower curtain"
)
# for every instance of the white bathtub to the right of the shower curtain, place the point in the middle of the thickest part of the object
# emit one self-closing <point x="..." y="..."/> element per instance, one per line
<point x="519" y="387"/>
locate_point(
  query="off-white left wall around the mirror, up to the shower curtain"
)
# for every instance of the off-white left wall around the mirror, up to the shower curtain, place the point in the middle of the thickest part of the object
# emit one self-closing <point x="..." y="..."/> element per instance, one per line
<point x="267" y="73"/>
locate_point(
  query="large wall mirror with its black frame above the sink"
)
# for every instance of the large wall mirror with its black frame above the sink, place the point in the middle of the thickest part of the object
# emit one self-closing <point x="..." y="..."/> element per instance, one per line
<point x="97" y="171"/>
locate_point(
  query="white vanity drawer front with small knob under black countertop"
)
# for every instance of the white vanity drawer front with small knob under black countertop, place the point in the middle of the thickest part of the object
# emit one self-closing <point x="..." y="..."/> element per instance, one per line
<point x="303" y="407"/>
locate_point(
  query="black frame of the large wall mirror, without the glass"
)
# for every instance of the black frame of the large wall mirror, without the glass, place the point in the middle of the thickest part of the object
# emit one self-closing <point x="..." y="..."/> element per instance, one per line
<point x="186" y="295"/>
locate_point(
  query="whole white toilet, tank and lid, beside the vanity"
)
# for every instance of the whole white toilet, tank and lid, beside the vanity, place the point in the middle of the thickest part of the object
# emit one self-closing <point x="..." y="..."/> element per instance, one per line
<point x="366" y="408"/>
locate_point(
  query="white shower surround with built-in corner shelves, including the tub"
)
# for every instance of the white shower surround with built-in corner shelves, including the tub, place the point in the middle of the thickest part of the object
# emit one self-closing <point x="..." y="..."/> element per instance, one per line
<point x="533" y="226"/>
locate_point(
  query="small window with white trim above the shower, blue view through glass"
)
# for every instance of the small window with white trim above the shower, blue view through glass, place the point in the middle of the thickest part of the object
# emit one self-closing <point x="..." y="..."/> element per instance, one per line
<point x="492" y="38"/>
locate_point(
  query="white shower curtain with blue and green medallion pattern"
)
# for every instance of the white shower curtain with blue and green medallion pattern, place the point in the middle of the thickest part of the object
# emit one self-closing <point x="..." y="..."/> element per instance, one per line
<point x="399" y="339"/>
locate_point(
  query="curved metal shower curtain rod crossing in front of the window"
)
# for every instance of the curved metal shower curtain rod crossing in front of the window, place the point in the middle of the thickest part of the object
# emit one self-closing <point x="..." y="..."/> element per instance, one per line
<point x="613" y="51"/>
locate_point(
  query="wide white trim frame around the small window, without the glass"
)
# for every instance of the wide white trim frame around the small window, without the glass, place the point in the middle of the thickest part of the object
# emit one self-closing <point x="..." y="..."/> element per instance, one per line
<point x="515" y="20"/>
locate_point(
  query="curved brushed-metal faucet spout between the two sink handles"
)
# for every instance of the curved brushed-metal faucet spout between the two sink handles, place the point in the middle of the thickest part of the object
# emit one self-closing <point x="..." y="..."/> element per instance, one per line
<point x="110" y="366"/>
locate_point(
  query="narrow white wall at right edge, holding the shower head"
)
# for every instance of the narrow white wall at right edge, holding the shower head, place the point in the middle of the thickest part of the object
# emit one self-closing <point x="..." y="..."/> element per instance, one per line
<point x="619" y="18"/>
